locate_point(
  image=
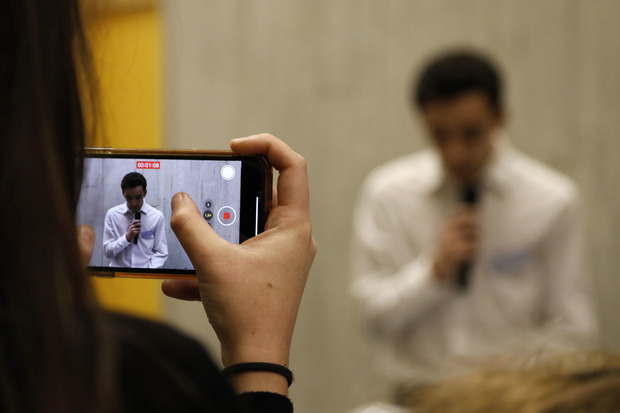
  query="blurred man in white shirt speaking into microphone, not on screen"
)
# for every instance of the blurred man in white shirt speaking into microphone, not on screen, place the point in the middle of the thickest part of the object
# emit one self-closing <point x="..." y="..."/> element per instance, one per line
<point x="468" y="247"/>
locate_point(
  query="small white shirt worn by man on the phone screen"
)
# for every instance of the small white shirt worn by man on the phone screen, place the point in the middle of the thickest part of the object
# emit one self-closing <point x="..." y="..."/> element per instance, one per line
<point x="151" y="251"/>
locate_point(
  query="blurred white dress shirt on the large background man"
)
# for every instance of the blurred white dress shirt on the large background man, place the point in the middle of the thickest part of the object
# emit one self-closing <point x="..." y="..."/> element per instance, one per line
<point x="526" y="281"/>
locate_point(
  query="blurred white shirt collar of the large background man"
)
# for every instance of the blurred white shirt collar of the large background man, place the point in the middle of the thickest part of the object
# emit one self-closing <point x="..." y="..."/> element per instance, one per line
<point x="494" y="175"/>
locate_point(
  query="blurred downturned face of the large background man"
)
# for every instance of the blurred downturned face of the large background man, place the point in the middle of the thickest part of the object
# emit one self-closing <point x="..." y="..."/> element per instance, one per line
<point x="463" y="130"/>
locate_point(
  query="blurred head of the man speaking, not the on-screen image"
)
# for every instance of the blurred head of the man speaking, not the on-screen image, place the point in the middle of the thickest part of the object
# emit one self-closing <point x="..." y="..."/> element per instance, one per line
<point x="460" y="99"/>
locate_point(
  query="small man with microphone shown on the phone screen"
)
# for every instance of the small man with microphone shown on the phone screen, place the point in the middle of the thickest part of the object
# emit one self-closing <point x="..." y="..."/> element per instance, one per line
<point x="134" y="232"/>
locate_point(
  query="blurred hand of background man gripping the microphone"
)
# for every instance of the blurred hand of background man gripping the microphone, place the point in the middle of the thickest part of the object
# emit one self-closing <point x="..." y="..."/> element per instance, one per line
<point x="458" y="241"/>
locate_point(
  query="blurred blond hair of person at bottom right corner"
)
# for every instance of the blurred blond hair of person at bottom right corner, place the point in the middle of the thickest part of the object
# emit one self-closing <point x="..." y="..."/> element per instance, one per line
<point x="567" y="383"/>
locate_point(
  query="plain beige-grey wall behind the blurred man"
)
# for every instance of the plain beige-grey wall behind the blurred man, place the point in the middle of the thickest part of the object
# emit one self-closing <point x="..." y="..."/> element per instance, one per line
<point x="330" y="77"/>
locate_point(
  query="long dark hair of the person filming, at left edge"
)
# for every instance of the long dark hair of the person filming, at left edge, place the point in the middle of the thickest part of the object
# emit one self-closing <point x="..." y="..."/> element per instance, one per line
<point x="48" y="317"/>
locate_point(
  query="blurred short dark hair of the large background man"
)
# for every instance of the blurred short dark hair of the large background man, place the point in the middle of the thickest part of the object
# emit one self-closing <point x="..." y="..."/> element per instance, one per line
<point x="454" y="74"/>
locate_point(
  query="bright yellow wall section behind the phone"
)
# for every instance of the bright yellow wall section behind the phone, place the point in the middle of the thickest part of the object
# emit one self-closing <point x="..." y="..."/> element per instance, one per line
<point x="126" y="47"/>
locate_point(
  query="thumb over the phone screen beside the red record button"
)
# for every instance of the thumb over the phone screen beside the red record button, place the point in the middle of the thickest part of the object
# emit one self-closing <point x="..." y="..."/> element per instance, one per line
<point x="198" y="239"/>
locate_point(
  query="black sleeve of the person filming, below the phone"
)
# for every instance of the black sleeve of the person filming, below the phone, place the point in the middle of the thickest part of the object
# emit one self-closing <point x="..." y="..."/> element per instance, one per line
<point x="162" y="370"/>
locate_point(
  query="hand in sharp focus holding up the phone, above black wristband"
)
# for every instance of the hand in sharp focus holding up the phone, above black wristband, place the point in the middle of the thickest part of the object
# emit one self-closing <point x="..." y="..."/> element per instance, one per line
<point x="251" y="292"/>
